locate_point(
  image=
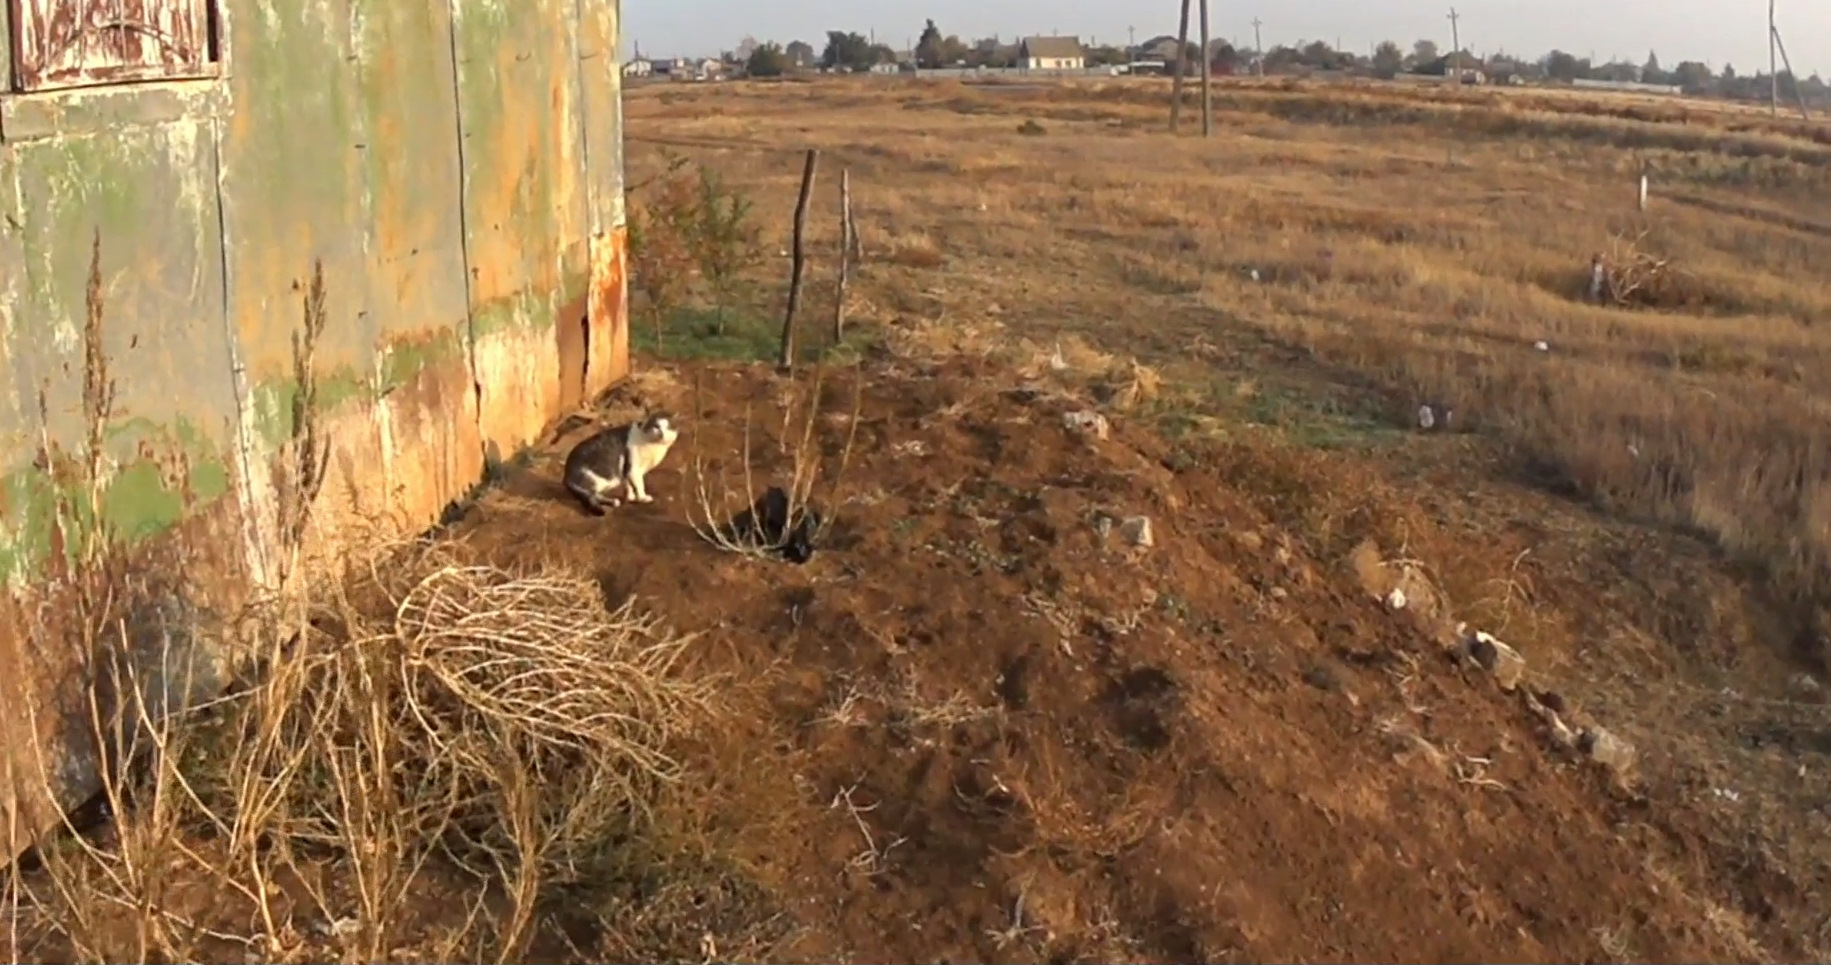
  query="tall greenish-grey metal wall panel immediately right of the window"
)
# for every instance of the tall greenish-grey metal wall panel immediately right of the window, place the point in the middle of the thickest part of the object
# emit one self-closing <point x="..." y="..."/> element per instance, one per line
<point x="296" y="169"/>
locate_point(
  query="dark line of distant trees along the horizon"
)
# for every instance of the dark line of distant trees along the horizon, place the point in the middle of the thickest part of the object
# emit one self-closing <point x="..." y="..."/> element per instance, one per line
<point x="854" y="52"/>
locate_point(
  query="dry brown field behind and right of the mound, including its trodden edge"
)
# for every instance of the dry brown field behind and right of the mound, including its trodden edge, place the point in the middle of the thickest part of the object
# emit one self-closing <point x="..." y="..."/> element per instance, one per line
<point x="1645" y="508"/>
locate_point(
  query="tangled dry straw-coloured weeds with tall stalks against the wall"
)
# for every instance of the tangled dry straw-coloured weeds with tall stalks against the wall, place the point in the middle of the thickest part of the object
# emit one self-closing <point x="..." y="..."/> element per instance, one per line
<point x="411" y="770"/>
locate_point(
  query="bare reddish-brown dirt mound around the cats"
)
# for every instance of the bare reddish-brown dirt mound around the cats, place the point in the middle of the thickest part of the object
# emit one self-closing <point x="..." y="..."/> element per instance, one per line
<point x="990" y="722"/>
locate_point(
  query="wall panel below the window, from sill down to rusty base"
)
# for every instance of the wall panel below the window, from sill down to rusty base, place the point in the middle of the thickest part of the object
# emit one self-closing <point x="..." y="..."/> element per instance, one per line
<point x="149" y="193"/>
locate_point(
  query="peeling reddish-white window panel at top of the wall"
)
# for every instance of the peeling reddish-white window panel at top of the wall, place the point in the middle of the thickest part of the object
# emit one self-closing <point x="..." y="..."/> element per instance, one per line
<point x="85" y="43"/>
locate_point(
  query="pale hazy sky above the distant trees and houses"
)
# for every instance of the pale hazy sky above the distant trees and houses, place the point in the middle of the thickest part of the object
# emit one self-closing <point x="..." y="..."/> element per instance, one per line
<point x="1678" y="30"/>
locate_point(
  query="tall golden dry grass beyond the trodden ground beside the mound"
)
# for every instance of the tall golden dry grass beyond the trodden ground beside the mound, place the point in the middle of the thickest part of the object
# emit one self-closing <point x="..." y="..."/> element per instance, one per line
<point x="1416" y="243"/>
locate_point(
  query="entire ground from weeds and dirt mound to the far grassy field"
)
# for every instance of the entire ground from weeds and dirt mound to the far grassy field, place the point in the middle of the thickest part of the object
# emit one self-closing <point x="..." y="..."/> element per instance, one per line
<point x="984" y="726"/>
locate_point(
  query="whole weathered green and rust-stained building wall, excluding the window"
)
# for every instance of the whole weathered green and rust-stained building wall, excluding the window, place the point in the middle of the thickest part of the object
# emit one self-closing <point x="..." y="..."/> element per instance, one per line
<point x="459" y="169"/>
